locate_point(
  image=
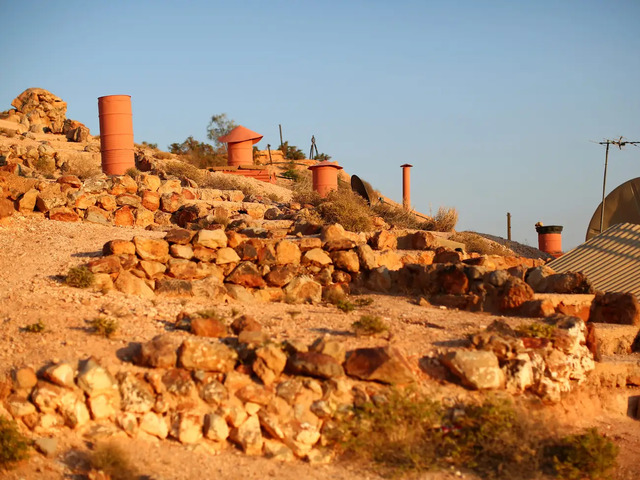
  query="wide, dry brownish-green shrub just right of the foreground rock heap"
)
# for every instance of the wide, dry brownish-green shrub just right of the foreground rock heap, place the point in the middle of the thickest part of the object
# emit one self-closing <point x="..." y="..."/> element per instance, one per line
<point x="409" y="432"/>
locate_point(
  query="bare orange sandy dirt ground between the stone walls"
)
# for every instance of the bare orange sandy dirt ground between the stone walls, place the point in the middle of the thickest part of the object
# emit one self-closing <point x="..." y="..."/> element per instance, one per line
<point x="35" y="253"/>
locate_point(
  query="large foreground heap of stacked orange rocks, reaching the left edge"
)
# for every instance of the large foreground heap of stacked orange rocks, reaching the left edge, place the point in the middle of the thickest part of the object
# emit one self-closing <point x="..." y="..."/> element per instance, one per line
<point x="266" y="398"/>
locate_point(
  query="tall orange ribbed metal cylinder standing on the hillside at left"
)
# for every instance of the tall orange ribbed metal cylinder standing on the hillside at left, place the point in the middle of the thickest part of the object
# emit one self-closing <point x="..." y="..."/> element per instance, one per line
<point x="116" y="134"/>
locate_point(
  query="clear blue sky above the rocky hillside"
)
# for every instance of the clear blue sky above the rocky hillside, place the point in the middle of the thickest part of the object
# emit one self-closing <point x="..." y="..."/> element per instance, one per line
<point x="495" y="103"/>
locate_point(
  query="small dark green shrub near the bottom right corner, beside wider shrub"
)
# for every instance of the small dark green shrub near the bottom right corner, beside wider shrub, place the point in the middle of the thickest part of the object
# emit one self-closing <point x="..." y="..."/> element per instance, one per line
<point x="588" y="455"/>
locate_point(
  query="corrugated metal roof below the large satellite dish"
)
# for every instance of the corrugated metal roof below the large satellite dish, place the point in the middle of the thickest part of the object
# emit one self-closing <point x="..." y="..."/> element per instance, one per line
<point x="611" y="260"/>
